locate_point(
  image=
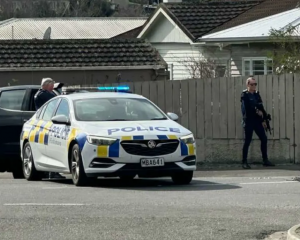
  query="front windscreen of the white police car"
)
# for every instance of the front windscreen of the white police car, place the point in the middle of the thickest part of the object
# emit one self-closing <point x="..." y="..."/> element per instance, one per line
<point x="116" y="109"/>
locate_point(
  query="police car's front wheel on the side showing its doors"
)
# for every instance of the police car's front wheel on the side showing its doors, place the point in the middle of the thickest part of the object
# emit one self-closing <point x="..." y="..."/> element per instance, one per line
<point x="78" y="175"/>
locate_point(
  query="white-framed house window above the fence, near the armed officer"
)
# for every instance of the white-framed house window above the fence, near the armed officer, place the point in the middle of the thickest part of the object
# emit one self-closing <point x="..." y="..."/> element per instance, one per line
<point x="257" y="66"/>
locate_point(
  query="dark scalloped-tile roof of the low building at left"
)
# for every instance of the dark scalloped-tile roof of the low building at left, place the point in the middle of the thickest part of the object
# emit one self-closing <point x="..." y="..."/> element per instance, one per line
<point x="79" y="54"/>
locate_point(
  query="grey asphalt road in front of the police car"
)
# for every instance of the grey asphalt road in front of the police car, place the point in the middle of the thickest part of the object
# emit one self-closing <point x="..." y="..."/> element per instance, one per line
<point x="240" y="205"/>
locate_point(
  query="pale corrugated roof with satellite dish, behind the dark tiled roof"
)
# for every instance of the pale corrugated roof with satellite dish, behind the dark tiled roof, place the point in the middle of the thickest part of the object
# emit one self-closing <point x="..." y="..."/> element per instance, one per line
<point x="68" y="28"/>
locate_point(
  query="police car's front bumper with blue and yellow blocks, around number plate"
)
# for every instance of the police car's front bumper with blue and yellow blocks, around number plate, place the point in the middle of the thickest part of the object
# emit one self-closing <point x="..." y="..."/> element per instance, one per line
<point x="120" y="160"/>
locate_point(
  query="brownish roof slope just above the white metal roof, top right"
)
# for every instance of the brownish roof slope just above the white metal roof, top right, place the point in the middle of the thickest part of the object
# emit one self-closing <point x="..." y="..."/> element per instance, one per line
<point x="265" y="9"/>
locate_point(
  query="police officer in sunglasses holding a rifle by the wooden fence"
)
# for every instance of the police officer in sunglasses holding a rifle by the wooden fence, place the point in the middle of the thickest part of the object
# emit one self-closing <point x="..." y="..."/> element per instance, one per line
<point x="253" y="121"/>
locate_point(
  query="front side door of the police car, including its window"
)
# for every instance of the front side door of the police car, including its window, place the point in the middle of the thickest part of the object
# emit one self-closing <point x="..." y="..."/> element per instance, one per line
<point x="57" y="148"/>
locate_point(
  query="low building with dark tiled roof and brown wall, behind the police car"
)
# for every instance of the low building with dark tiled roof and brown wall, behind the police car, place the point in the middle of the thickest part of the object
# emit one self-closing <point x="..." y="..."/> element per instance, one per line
<point x="79" y="61"/>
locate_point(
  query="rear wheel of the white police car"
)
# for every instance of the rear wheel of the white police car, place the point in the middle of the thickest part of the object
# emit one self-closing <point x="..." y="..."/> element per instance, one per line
<point x="29" y="170"/>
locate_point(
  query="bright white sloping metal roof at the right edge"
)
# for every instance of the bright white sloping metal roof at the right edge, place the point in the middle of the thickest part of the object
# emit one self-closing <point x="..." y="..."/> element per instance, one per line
<point x="259" y="28"/>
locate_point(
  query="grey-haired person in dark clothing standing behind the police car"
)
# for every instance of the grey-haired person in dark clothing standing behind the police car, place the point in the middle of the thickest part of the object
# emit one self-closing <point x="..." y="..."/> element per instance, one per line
<point x="43" y="95"/>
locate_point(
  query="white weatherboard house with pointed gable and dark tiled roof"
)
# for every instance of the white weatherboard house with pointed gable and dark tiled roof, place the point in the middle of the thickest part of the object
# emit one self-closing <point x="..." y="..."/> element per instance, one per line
<point x="176" y="31"/>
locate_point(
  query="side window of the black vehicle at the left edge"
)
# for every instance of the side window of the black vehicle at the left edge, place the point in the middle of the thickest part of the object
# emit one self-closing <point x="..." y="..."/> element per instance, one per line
<point x="12" y="99"/>
